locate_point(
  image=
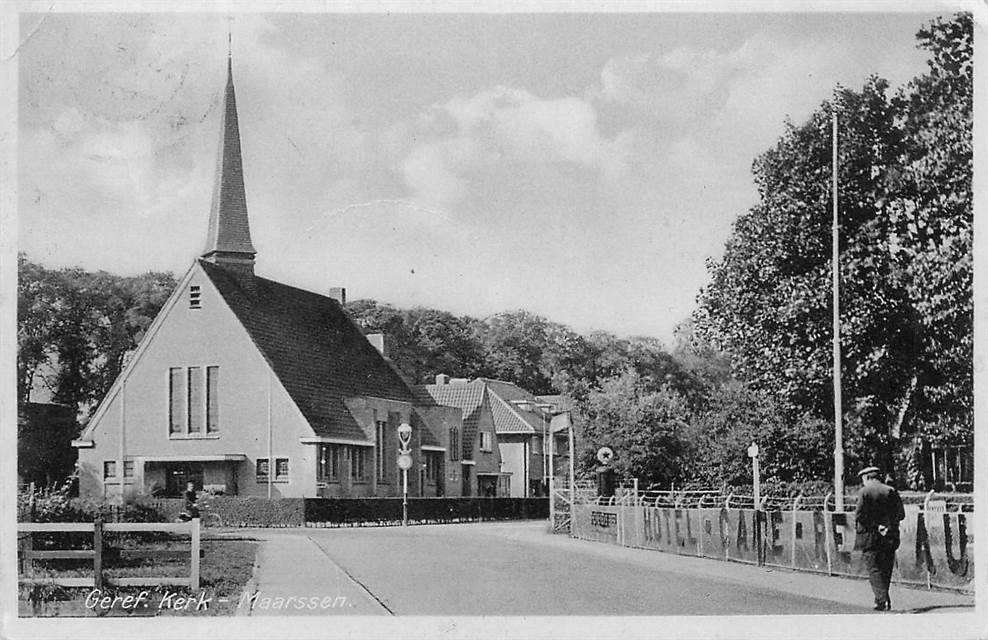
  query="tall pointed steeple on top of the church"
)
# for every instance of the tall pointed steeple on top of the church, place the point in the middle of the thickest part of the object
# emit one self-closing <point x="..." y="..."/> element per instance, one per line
<point x="228" y="241"/>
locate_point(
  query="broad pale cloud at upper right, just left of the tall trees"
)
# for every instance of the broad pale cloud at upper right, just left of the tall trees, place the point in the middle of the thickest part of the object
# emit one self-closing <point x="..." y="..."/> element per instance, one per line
<point x="733" y="98"/>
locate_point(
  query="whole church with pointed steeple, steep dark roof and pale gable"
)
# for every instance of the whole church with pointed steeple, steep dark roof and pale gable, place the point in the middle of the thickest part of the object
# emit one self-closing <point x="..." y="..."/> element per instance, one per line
<point x="247" y="386"/>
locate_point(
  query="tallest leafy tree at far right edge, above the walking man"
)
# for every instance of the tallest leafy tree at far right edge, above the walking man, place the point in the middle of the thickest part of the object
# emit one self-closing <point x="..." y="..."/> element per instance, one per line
<point x="933" y="217"/>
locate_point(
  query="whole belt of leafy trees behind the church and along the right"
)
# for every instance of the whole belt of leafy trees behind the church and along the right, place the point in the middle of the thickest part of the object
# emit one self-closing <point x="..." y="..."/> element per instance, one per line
<point x="753" y="363"/>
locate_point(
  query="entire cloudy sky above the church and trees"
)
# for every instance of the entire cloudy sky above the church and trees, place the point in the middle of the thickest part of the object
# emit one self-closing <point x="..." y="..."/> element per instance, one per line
<point x="583" y="166"/>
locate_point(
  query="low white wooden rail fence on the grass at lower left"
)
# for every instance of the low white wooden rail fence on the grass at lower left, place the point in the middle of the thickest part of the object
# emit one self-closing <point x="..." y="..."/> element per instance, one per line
<point x="29" y="555"/>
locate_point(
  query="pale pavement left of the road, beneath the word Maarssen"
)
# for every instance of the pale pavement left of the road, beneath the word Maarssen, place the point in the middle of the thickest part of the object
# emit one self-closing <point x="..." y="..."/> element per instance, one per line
<point x="293" y="576"/>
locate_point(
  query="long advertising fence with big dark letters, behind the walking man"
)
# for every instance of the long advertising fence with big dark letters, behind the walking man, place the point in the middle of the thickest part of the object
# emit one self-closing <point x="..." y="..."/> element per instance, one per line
<point x="937" y="547"/>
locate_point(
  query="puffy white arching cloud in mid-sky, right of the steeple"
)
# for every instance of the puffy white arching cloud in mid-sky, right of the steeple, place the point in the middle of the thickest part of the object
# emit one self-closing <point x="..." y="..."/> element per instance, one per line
<point x="506" y="127"/>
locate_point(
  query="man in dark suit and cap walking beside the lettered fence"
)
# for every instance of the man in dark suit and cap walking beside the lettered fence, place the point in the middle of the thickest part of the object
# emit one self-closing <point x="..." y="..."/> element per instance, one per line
<point x="877" y="516"/>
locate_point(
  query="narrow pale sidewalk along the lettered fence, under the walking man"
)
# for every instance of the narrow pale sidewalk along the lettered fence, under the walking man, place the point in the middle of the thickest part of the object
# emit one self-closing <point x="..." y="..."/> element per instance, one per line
<point x="851" y="591"/>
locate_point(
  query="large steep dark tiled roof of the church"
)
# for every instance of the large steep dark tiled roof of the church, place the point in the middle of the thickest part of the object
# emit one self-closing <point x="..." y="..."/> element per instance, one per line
<point x="319" y="355"/>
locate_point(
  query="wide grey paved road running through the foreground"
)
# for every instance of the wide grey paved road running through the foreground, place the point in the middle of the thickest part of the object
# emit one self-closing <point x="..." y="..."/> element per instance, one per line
<point x="516" y="569"/>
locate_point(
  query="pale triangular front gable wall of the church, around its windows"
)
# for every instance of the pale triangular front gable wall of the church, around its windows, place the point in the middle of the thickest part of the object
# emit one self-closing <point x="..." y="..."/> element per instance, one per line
<point x="208" y="336"/>
